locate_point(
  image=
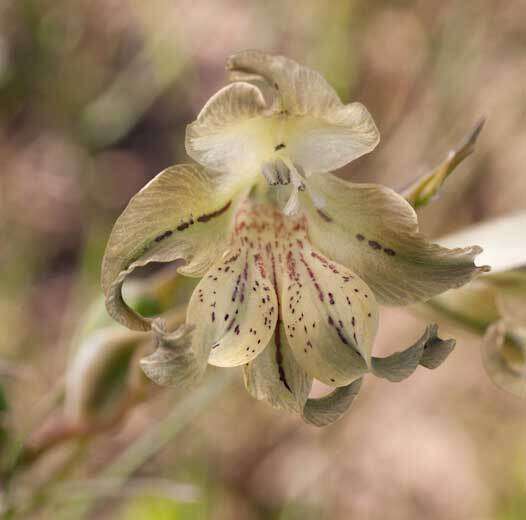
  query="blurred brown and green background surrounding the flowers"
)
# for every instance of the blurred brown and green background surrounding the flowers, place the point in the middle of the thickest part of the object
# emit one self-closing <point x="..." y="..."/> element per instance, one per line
<point x="94" y="99"/>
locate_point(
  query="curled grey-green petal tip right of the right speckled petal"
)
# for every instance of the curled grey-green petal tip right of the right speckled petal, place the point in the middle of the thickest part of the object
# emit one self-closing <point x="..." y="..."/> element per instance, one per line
<point x="429" y="351"/>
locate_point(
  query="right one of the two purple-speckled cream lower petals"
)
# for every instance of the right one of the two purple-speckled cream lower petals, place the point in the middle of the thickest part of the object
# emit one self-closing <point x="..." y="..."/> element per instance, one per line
<point x="330" y="317"/>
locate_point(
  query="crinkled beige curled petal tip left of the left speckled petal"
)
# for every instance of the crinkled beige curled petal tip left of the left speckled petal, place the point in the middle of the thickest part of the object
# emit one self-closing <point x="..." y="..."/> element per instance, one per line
<point x="174" y="362"/>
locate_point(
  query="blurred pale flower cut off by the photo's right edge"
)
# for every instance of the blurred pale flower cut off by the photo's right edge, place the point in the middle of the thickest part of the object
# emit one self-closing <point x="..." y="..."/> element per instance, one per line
<point x="494" y="305"/>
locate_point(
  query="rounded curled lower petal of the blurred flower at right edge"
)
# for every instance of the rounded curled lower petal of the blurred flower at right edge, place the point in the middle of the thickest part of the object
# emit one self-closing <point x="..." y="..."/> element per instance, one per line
<point x="504" y="357"/>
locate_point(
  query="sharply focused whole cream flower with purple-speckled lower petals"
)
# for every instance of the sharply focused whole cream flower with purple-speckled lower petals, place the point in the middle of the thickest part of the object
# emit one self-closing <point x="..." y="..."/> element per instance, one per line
<point x="289" y="291"/>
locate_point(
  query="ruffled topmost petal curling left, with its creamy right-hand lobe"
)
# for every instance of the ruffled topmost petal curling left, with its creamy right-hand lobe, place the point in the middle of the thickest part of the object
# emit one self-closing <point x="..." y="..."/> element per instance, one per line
<point x="327" y="134"/>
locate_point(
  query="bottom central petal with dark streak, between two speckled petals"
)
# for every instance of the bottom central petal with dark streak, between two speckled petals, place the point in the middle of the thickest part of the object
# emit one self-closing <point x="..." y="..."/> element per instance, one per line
<point x="276" y="377"/>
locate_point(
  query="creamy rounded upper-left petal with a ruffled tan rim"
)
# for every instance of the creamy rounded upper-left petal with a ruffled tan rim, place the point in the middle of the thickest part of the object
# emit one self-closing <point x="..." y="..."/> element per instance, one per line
<point x="230" y="130"/>
